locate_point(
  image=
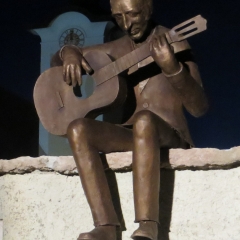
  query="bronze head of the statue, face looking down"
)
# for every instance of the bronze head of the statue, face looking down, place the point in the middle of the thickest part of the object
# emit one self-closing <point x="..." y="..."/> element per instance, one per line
<point x="132" y="16"/>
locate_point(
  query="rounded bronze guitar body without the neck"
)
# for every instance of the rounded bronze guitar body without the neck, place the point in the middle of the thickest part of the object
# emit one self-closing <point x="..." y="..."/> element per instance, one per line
<point x="55" y="101"/>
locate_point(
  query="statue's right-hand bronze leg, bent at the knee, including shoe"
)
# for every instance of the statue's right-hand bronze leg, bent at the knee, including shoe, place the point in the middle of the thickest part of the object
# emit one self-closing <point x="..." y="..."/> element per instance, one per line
<point x="150" y="133"/>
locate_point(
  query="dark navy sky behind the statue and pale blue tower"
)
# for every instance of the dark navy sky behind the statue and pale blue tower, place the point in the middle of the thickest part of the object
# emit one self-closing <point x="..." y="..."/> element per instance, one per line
<point x="217" y="53"/>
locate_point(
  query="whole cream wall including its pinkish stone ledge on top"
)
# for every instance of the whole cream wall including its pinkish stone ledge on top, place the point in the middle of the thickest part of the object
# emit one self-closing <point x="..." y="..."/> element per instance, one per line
<point x="42" y="198"/>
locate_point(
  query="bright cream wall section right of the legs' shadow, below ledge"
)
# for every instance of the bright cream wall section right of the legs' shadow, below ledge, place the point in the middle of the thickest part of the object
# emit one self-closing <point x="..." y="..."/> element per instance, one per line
<point x="206" y="205"/>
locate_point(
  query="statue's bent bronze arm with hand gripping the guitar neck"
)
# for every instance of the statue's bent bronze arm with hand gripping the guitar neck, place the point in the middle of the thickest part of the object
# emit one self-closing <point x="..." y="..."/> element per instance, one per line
<point x="181" y="72"/>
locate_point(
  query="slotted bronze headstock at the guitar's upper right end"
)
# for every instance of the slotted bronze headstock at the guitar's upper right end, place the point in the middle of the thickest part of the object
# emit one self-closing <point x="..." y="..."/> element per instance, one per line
<point x="187" y="29"/>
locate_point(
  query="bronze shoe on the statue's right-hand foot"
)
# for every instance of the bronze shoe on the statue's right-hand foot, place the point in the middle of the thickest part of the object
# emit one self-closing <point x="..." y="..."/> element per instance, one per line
<point x="147" y="229"/>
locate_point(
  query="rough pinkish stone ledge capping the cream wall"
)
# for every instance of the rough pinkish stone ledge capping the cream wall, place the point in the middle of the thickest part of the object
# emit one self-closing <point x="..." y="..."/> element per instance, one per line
<point x="179" y="159"/>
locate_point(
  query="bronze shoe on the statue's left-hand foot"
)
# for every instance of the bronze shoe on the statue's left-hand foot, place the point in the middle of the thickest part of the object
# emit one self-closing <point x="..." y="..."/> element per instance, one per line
<point x="100" y="233"/>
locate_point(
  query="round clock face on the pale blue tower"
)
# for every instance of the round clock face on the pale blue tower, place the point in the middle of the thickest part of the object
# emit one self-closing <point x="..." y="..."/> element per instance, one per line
<point x="72" y="36"/>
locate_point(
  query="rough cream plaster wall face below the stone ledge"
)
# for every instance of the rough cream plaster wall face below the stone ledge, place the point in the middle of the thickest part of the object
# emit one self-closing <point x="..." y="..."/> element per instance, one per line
<point x="51" y="206"/>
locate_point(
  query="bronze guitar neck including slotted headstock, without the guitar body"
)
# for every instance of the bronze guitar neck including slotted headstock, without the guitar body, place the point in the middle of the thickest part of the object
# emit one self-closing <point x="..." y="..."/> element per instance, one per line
<point x="176" y="34"/>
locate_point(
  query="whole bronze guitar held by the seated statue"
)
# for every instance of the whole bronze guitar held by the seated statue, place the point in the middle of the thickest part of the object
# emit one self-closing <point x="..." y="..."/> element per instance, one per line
<point x="56" y="103"/>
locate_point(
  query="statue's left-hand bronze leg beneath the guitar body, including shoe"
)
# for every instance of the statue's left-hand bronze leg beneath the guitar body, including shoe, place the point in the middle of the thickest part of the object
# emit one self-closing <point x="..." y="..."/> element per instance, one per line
<point x="87" y="138"/>
